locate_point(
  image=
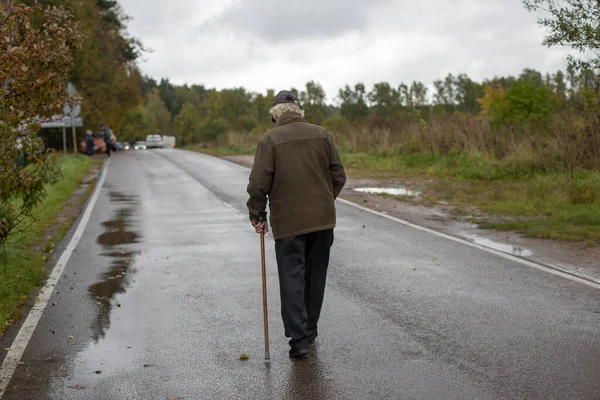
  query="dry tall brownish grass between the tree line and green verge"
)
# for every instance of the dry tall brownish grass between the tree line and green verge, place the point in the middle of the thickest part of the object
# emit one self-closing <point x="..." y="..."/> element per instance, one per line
<point x="568" y="142"/>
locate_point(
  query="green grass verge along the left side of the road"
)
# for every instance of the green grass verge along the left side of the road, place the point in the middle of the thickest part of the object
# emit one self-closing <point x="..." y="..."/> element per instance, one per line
<point x="26" y="268"/>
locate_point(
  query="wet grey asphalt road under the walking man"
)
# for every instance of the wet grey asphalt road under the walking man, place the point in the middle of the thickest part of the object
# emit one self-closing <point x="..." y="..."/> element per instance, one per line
<point x="163" y="294"/>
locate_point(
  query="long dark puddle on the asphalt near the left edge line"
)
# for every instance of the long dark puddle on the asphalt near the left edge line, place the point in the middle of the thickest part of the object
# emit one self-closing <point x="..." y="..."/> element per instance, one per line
<point x="115" y="241"/>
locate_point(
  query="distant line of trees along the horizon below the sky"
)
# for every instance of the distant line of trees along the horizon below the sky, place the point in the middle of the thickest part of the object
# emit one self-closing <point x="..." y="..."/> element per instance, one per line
<point x="525" y="102"/>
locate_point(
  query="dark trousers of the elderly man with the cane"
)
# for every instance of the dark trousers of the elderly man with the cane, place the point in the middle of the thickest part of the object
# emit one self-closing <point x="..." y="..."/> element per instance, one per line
<point x="302" y="263"/>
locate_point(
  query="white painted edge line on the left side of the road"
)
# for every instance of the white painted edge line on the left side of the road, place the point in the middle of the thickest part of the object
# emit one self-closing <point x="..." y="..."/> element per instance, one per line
<point x="13" y="357"/>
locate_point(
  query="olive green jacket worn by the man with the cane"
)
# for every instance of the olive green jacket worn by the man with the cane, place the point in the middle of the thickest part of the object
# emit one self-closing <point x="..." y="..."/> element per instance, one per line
<point x="298" y="168"/>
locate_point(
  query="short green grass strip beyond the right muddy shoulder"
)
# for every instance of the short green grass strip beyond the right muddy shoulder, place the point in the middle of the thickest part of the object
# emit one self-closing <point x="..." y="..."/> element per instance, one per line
<point x="515" y="194"/>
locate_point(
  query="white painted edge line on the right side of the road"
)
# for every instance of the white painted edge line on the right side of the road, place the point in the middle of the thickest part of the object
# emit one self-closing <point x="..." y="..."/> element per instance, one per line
<point x="510" y="257"/>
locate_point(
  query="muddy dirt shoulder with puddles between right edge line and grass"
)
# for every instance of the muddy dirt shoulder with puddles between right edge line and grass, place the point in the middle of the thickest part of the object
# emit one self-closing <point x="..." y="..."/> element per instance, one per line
<point x="572" y="257"/>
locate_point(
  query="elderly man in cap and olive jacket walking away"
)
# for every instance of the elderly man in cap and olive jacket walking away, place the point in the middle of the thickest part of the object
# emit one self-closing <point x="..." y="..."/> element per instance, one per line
<point x="298" y="168"/>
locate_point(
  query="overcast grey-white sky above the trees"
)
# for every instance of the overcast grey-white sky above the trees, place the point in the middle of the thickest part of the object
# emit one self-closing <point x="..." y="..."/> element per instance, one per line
<point x="260" y="44"/>
